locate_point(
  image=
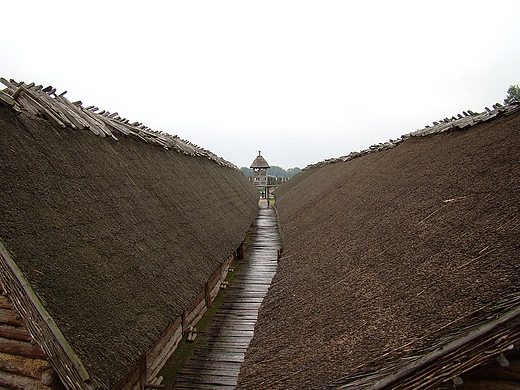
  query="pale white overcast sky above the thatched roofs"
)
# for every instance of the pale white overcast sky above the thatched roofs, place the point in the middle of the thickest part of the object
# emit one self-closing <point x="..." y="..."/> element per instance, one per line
<point x="301" y="81"/>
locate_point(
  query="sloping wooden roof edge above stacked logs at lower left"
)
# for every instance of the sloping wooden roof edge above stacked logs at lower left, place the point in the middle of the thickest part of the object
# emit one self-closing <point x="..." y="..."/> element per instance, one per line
<point x="26" y="301"/>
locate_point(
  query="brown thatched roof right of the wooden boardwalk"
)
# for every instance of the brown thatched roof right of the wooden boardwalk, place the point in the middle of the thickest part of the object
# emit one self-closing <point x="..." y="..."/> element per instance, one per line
<point x="393" y="254"/>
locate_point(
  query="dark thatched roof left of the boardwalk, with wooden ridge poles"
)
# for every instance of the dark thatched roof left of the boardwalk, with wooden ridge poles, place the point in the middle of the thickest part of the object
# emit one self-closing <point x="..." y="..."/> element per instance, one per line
<point x="116" y="234"/>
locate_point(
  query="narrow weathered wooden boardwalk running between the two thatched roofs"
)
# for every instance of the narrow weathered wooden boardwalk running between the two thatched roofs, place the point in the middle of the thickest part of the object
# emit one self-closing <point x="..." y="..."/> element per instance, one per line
<point x="215" y="365"/>
